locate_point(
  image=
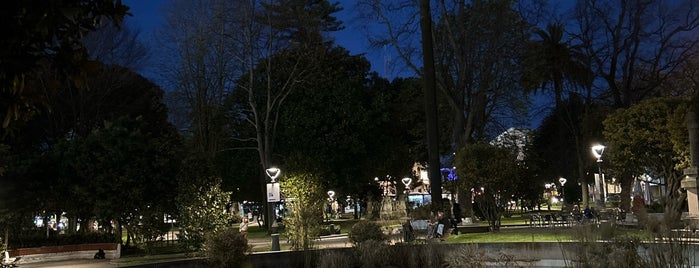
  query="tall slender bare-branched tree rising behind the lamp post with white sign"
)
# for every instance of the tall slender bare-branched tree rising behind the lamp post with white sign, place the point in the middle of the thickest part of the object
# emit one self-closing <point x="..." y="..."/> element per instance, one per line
<point x="272" y="33"/>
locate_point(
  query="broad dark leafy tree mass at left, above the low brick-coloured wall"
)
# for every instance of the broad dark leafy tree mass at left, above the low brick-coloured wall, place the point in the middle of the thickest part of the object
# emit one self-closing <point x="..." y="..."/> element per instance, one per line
<point x="70" y="151"/>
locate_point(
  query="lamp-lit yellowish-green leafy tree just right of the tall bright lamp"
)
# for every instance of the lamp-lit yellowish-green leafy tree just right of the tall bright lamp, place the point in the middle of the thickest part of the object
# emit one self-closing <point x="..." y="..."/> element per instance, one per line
<point x="650" y="138"/>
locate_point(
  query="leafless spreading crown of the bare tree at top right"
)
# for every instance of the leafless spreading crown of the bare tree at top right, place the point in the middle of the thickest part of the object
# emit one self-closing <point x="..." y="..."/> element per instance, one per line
<point x="635" y="45"/>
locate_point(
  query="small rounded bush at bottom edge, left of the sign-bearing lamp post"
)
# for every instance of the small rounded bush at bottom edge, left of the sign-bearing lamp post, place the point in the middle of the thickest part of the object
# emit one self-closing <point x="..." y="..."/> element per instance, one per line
<point x="227" y="248"/>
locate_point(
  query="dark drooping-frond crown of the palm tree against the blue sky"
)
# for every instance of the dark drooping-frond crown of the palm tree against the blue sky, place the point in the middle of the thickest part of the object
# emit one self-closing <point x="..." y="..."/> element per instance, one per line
<point x="550" y="59"/>
